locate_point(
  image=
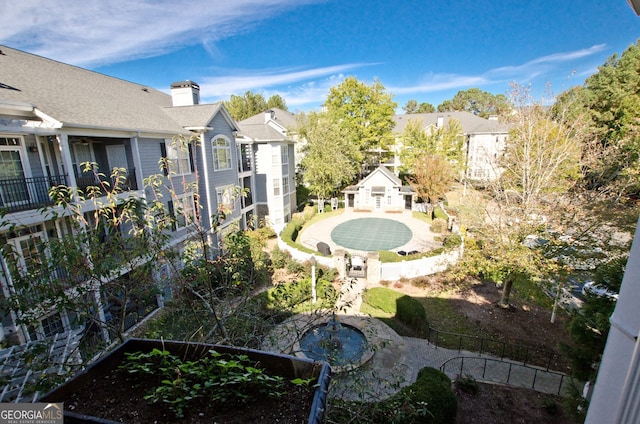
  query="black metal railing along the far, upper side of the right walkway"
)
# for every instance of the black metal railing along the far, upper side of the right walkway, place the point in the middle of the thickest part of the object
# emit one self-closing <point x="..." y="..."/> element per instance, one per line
<point x="500" y="348"/>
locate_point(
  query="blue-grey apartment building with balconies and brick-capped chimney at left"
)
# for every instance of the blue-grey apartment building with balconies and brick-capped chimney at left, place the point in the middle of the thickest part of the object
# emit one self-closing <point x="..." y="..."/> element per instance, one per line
<point x="55" y="119"/>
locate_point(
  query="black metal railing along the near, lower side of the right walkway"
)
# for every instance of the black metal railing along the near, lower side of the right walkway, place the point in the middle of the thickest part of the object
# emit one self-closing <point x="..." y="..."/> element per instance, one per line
<point x="505" y="372"/>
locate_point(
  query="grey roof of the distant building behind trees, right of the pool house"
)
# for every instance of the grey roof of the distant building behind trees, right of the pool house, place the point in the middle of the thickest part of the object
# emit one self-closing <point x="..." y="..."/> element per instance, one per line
<point x="471" y="124"/>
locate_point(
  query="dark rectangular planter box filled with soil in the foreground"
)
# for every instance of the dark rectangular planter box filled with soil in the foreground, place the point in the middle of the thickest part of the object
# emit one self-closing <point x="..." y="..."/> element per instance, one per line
<point x="104" y="393"/>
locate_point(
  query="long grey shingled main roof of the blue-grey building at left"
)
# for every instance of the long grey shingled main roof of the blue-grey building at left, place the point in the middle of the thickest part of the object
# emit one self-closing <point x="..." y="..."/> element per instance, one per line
<point x="77" y="97"/>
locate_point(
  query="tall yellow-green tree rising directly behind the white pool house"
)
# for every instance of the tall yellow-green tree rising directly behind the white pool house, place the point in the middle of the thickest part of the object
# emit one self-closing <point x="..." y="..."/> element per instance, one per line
<point x="365" y="113"/>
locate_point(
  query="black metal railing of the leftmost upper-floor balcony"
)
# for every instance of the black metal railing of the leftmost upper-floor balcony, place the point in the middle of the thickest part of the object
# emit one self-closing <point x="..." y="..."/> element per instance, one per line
<point x="20" y="194"/>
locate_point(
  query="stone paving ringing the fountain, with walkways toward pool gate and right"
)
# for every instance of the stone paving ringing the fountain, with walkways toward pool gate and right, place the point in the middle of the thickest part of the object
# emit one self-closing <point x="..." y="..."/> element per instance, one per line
<point x="391" y="362"/>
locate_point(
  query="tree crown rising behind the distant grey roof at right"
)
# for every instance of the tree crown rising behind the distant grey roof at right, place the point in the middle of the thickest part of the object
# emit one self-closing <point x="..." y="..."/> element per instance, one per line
<point x="478" y="102"/>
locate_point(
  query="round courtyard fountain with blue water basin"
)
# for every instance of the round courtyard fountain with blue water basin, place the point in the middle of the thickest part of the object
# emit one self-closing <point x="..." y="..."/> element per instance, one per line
<point x="343" y="346"/>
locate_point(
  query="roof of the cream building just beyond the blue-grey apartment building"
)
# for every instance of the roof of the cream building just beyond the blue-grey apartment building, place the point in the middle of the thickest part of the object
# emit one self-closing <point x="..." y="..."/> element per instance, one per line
<point x="257" y="128"/>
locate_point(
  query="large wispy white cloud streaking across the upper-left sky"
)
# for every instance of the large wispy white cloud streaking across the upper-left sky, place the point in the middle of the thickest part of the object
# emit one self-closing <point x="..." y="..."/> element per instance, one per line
<point x="97" y="32"/>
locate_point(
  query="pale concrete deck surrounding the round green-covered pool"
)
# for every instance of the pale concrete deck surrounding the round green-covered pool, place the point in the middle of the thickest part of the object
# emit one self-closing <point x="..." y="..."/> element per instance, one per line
<point x="422" y="238"/>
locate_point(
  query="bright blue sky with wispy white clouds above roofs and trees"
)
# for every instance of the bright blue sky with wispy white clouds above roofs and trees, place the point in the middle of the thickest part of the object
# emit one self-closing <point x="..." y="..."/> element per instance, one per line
<point x="424" y="50"/>
